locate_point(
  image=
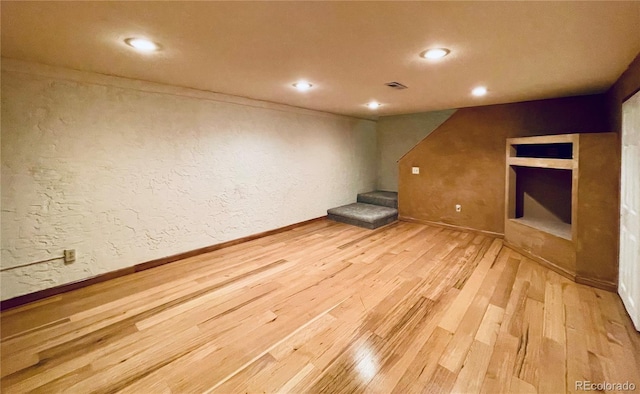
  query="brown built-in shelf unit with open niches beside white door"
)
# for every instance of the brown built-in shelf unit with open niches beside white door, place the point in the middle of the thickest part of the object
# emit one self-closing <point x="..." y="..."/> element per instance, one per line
<point x="558" y="191"/>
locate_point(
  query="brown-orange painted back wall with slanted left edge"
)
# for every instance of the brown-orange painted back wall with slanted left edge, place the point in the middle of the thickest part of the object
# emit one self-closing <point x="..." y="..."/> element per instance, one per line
<point x="463" y="160"/>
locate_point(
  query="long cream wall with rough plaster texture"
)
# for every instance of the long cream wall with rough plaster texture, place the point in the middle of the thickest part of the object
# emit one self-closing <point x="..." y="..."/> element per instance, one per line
<point x="126" y="172"/>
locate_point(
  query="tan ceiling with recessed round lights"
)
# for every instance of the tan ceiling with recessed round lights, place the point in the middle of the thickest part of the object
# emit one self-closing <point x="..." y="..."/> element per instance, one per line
<point x="348" y="50"/>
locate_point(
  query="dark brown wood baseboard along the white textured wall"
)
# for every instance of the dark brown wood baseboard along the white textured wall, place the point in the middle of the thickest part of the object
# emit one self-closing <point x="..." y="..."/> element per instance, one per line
<point x="53" y="291"/>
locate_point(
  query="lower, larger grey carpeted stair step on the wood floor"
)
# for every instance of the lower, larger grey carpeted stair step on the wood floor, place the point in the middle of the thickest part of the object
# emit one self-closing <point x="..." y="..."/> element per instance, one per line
<point x="363" y="215"/>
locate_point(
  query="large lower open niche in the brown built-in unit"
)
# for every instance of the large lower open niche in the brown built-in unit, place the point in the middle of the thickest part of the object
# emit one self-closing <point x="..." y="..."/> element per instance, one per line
<point x="543" y="199"/>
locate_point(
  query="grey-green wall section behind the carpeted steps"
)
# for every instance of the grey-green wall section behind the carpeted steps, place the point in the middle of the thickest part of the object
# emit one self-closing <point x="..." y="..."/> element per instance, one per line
<point x="397" y="135"/>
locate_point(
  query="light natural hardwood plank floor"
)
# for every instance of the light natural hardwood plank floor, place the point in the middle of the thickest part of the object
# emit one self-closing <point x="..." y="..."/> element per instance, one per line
<point x="327" y="307"/>
